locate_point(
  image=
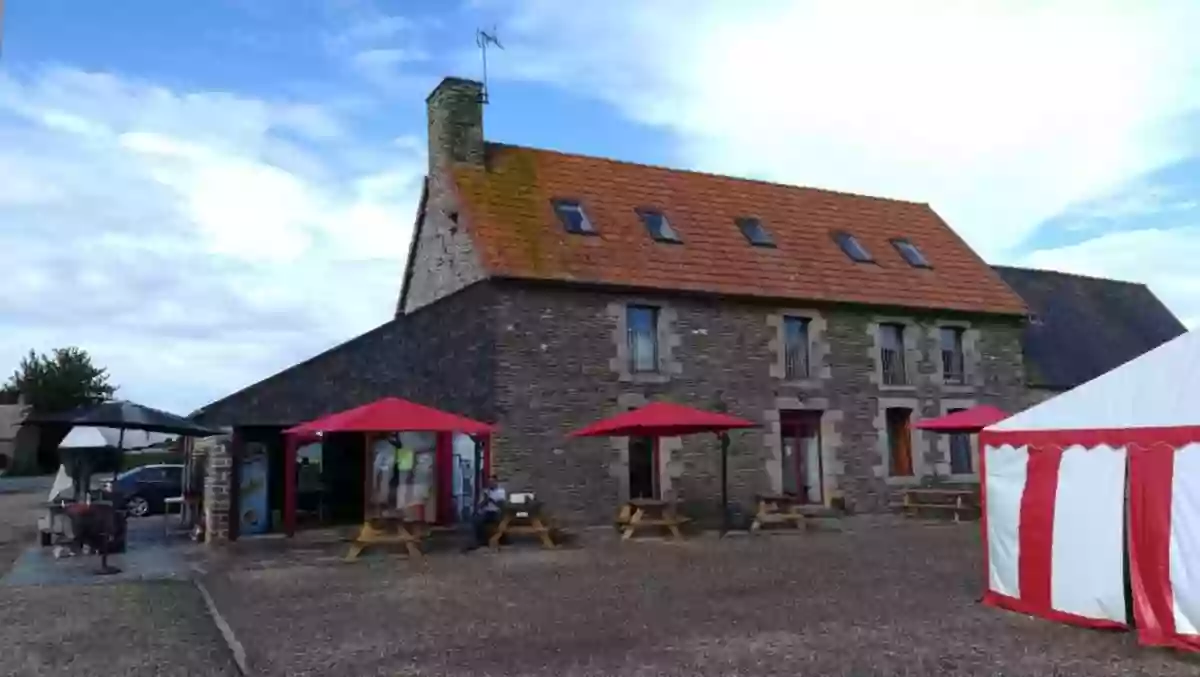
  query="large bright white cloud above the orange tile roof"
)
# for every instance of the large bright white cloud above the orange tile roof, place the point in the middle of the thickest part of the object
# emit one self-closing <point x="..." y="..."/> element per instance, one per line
<point x="998" y="113"/>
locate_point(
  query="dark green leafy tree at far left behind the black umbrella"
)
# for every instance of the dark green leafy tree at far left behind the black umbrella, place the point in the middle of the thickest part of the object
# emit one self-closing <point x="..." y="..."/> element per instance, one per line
<point x="64" y="380"/>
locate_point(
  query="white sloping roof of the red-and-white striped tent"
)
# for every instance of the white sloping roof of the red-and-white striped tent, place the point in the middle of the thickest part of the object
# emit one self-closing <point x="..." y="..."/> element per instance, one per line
<point x="1155" y="391"/>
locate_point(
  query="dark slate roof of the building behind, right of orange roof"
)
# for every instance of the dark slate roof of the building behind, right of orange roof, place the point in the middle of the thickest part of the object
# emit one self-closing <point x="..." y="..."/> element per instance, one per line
<point x="1083" y="327"/>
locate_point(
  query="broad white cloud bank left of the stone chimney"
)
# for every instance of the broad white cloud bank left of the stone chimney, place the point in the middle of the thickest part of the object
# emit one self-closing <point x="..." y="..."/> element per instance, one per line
<point x="195" y="242"/>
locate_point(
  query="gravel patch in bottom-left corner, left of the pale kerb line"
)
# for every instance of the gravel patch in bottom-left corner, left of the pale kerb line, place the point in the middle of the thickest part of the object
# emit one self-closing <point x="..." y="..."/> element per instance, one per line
<point x="153" y="630"/>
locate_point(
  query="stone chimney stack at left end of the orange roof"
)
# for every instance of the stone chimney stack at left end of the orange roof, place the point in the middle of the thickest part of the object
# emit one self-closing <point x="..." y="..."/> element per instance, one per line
<point x="457" y="123"/>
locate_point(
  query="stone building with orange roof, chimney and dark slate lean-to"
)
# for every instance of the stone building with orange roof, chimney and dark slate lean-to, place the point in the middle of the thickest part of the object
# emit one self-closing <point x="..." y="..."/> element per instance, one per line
<point x="544" y="291"/>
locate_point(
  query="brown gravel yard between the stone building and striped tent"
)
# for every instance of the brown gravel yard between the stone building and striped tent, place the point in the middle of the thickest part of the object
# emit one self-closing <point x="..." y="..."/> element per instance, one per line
<point x="883" y="598"/>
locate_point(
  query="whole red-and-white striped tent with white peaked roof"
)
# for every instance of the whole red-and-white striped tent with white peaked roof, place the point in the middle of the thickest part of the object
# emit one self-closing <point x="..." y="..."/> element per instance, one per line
<point x="1095" y="481"/>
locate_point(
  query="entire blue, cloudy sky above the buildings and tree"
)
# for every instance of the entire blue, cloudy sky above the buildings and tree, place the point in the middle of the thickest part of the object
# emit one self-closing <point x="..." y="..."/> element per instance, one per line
<point x="203" y="194"/>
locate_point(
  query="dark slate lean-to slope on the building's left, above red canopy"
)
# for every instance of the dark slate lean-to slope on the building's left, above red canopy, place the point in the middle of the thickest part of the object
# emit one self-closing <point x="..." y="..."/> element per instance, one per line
<point x="441" y="356"/>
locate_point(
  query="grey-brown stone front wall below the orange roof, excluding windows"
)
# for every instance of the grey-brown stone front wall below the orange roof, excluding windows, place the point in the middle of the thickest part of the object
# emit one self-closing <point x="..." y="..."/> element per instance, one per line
<point x="562" y="363"/>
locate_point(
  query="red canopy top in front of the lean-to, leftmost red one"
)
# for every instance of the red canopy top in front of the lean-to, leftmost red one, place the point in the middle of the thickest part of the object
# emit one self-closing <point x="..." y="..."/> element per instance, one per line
<point x="393" y="415"/>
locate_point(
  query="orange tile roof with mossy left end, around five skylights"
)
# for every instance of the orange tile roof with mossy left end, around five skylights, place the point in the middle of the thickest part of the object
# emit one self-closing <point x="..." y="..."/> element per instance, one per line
<point x="509" y="215"/>
